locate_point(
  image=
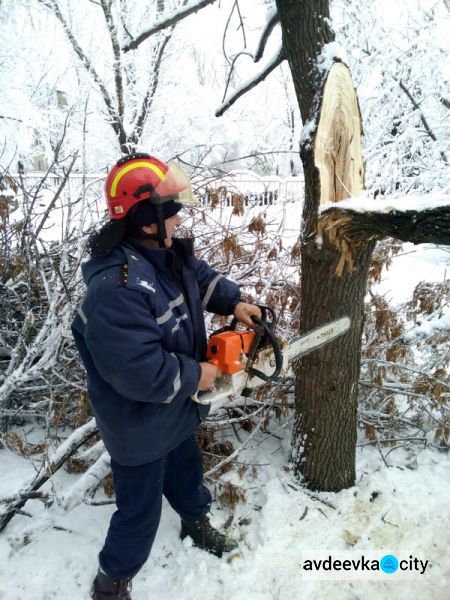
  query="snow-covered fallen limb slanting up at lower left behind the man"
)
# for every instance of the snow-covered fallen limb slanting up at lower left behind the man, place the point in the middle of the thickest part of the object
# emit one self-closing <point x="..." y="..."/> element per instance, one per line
<point x="49" y="466"/>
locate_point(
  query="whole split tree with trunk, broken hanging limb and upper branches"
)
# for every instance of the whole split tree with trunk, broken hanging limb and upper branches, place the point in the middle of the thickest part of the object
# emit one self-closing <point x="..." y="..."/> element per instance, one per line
<point x="334" y="263"/>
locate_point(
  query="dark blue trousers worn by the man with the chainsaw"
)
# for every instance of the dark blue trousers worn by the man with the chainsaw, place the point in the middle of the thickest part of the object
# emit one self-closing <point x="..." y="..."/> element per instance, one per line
<point x="179" y="476"/>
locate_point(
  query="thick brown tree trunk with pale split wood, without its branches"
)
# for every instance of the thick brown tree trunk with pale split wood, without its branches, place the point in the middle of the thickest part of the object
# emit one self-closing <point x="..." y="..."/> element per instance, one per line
<point x="324" y="437"/>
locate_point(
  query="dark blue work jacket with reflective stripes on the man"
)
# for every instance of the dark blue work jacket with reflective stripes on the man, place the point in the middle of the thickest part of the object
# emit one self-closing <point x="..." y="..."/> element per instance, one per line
<point x="140" y="332"/>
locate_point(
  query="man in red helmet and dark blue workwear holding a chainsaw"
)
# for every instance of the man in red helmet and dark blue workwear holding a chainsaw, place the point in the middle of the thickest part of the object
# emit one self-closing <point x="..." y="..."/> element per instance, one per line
<point x="141" y="335"/>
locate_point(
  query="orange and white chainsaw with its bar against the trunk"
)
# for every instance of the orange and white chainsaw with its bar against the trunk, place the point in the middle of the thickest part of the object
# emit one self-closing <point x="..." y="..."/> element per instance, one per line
<point x="250" y="358"/>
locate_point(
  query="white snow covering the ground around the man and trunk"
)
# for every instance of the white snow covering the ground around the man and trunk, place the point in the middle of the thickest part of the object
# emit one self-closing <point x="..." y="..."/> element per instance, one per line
<point x="401" y="509"/>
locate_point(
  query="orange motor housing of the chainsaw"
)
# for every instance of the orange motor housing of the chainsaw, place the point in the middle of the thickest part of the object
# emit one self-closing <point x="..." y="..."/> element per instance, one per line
<point x="226" y="350"/>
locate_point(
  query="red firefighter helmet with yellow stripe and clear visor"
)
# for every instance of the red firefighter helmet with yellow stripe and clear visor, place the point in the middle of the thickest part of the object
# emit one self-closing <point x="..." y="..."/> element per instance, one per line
<point x="138" y="177"/>
